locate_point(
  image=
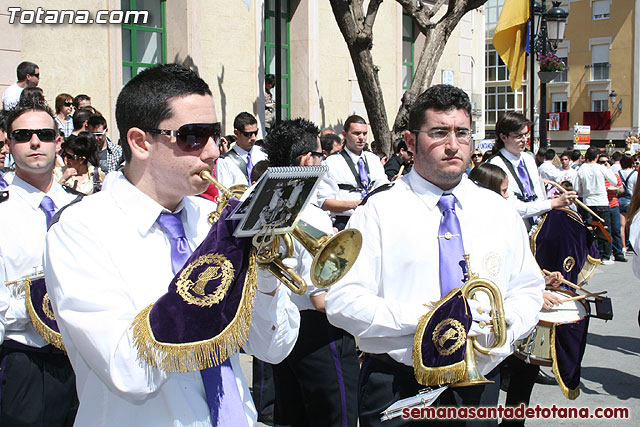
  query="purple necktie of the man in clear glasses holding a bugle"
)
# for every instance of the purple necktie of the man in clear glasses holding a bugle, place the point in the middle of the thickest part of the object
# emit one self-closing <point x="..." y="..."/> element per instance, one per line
<point x="452" y="264"/>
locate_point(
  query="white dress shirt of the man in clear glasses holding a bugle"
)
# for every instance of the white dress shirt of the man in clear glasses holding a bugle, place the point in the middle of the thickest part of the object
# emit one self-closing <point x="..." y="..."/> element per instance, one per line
<point x="383" y="296"/>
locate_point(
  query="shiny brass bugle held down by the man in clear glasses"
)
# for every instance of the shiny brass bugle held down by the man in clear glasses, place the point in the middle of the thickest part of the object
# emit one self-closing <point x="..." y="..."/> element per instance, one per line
<point x="474" y="284"/>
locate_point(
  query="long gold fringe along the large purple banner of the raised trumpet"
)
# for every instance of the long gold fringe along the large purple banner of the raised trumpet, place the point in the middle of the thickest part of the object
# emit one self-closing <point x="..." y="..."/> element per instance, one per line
<point x="196" y="356"/>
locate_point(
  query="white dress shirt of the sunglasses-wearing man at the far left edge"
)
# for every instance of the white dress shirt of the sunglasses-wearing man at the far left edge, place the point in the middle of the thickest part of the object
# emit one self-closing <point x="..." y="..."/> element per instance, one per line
<point x="24" y="226"/>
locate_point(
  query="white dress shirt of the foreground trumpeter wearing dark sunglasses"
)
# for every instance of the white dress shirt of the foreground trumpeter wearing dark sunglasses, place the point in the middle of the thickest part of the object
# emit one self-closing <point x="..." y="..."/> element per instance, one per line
<point x="100" y="275"/>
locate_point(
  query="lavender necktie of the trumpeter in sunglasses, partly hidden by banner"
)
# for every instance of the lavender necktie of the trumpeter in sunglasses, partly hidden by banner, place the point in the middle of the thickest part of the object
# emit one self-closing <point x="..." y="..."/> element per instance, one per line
<point x="225" y="405"/>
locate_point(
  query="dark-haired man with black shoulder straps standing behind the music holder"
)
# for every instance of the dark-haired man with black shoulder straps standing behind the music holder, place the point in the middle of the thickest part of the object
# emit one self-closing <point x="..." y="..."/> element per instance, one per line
<point x="353" y="173"/>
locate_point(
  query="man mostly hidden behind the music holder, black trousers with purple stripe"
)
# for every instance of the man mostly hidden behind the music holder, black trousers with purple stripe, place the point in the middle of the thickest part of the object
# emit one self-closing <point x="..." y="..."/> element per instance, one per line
<point x="316" y="385"/>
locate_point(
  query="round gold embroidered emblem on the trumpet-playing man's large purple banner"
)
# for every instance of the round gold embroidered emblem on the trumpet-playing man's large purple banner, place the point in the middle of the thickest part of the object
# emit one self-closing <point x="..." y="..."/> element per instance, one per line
<point x="220" y="268"/>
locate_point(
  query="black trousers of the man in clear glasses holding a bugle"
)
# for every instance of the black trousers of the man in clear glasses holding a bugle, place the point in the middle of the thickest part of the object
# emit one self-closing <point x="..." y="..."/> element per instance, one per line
<point x="384" y="381"/>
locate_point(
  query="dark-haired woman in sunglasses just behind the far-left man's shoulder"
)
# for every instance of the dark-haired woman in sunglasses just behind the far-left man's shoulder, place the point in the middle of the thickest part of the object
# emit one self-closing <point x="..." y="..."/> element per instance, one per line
<point x="80" y="156"/>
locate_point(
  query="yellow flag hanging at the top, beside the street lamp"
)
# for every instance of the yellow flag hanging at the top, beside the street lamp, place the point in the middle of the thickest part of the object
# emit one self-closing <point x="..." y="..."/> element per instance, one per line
<point x="510" y="38"/>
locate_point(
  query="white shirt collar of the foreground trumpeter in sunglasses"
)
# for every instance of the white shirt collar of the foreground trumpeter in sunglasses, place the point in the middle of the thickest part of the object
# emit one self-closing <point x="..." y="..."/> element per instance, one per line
<point x="141" y="209"/>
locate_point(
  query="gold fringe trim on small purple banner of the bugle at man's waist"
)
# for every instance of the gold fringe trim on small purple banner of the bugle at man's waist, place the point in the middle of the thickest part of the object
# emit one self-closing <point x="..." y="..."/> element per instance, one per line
<point x="428" y="376"/>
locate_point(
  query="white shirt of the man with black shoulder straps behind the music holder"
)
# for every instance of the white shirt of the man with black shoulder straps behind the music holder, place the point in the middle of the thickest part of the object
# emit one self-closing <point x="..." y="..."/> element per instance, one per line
<point x="340" y="173"/>
